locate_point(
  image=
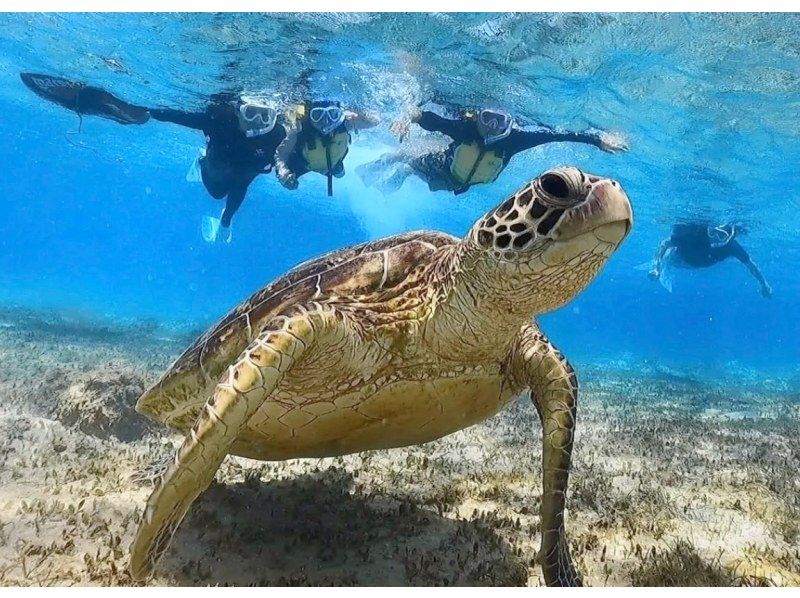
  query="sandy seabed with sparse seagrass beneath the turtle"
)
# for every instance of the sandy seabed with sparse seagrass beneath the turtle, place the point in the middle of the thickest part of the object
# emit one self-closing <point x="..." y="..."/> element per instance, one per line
<point x="674" y="482"/>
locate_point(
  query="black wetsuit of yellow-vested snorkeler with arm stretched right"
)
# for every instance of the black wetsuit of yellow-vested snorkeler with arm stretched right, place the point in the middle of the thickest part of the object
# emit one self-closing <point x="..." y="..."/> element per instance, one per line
<point x="435" y="168"/>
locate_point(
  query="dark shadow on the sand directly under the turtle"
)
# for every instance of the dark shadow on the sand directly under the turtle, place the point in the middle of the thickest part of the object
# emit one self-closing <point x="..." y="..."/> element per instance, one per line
<point x="318" y="529"/>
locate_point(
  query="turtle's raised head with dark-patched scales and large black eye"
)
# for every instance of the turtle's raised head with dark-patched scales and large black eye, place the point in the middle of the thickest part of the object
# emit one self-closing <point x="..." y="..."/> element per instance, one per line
<point x="545" y="243"/>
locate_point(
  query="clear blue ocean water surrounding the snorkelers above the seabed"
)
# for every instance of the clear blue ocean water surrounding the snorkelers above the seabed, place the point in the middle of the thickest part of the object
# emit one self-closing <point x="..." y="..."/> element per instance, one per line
<point x="99" y="220"/>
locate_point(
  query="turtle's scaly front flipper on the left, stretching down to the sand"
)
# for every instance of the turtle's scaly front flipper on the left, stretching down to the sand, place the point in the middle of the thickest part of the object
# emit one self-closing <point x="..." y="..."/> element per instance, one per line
<point x="242" y="389"/>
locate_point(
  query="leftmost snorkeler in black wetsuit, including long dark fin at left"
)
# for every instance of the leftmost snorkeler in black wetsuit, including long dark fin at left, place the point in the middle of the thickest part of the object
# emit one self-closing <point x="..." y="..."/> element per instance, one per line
<point x="242" y="134"/>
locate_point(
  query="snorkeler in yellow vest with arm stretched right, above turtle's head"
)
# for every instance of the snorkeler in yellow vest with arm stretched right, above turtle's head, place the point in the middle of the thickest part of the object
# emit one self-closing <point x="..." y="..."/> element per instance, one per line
<point x="484" y="141"/>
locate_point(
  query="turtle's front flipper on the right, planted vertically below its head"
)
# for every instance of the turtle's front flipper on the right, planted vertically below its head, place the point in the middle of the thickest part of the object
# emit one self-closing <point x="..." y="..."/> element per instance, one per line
<point x="538" y="365"/>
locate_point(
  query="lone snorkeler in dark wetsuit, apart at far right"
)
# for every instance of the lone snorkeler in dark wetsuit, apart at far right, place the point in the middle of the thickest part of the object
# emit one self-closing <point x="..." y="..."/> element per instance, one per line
<point x="698" y="245"/>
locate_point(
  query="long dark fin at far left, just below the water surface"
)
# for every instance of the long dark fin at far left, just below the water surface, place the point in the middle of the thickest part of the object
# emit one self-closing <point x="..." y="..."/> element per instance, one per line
<point x="84" y="99"/>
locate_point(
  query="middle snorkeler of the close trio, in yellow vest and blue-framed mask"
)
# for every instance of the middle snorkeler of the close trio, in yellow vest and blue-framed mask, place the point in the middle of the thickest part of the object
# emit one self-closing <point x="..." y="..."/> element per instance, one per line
<point x="319" y="141"/>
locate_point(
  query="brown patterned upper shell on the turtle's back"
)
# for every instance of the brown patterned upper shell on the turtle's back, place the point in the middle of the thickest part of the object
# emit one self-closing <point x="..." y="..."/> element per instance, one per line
<point x="373" y="267"/>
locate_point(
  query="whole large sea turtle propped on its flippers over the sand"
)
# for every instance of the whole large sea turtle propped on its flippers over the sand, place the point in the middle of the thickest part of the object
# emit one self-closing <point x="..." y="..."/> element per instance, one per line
<point x="395" y="342"/>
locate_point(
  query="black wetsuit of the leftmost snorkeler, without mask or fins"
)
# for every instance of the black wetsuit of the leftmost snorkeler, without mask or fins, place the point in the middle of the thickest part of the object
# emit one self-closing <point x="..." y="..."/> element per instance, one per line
<point x="232" y="159"/>
